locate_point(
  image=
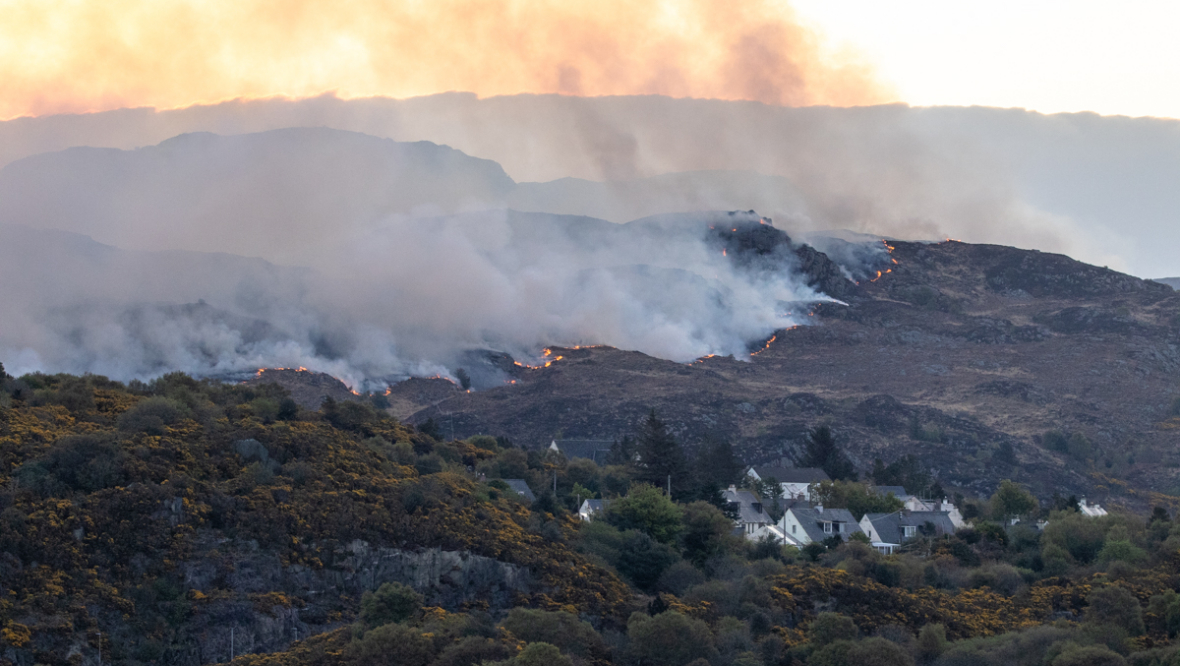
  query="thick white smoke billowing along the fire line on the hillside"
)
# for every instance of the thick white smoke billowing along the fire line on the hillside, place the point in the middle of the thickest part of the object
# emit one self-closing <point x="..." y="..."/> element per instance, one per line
<point x="410" y="297"/>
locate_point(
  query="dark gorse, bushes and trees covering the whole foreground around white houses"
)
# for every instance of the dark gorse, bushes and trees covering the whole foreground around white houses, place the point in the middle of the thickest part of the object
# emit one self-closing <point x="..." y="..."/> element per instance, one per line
<point x="165" y="514"/>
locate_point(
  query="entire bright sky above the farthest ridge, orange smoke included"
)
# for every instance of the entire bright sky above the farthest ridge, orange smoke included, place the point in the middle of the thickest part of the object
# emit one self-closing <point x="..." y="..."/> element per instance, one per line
<point x="60" y="56"/>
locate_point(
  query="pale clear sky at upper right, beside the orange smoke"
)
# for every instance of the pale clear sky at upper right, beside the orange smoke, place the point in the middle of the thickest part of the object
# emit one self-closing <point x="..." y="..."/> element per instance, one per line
<point x="1112" y="58"/>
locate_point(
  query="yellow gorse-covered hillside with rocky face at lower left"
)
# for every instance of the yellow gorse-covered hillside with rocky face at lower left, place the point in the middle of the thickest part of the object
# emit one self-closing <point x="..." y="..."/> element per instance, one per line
<point x="162" y="515"/>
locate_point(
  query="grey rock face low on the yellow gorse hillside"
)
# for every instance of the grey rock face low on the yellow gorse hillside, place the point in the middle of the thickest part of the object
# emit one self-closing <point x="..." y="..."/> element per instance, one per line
<point x="270" y="605"/>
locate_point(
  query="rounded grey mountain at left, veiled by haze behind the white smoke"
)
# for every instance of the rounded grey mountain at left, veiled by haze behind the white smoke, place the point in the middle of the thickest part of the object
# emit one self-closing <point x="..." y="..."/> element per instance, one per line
<point x="281" y="195"/>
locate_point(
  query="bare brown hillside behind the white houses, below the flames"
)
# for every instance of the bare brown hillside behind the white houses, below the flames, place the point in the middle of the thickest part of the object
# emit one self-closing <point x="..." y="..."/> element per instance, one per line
<point x="987" y="362"/>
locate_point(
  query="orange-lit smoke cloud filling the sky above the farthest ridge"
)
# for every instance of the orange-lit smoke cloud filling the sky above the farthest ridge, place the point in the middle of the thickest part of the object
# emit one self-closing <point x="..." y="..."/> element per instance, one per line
<point x="77" y="56"/>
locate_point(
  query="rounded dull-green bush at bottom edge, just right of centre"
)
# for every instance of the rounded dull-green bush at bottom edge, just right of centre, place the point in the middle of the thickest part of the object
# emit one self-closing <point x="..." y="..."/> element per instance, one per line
<point x="668" y="639"/>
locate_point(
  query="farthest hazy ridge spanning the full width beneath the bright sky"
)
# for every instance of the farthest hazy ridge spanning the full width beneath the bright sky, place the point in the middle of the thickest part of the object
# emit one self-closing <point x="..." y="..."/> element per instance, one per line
<point x="1097" y="188"/>
